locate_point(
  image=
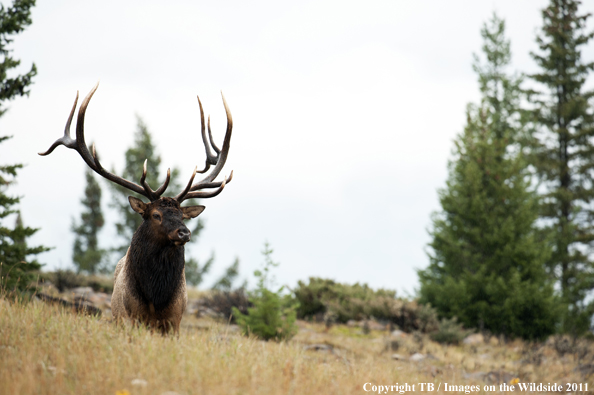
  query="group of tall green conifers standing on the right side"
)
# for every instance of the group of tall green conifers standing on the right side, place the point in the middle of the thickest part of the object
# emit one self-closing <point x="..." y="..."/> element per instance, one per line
<point x="510" y="249"/>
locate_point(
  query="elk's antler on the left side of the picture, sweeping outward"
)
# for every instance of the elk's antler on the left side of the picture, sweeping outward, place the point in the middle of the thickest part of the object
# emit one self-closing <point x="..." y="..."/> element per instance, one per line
<point x="92" y="161"/>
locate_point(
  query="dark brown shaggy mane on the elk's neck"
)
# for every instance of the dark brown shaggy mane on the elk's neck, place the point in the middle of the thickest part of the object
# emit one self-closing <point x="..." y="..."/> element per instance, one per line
<point x="155" y="269"/>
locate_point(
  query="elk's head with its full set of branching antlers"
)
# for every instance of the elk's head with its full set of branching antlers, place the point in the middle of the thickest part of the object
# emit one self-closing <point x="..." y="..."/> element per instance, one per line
<point x="163" y="214"/>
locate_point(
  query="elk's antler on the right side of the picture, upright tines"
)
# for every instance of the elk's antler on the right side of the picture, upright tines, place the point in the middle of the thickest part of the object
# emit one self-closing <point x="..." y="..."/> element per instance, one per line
<point x="217" y="160"/>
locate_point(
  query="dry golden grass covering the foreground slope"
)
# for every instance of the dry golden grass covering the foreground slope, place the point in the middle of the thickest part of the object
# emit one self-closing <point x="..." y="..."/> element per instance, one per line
<point x="45" y="350"/>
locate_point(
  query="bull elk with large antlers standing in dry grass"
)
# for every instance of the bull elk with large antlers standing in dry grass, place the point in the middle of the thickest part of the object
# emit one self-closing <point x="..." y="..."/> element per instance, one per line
<point x="149" y="281"/>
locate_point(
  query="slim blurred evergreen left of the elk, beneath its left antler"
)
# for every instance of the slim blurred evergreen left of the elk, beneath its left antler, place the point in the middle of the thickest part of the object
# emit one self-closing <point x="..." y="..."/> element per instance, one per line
<point x="86" y="254"/>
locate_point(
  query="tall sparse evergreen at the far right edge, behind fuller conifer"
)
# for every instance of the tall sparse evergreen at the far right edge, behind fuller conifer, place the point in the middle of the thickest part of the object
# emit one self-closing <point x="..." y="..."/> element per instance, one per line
<point x="563" y="155"/>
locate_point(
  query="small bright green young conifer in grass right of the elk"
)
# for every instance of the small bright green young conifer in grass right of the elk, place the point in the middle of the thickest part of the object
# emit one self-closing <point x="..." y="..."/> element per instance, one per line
<point x="273" y="314"/>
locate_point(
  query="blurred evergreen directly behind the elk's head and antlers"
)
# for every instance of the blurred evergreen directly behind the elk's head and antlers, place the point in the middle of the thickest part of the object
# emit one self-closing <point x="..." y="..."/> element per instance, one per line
<point x="144" y="149"/>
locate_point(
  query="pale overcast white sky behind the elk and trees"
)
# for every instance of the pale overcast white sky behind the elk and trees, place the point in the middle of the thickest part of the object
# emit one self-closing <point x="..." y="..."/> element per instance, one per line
<point x="344" y="116"/>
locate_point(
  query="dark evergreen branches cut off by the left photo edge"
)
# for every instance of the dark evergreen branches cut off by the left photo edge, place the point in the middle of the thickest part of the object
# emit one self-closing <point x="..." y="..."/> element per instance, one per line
<point x="16" y="266"/>
